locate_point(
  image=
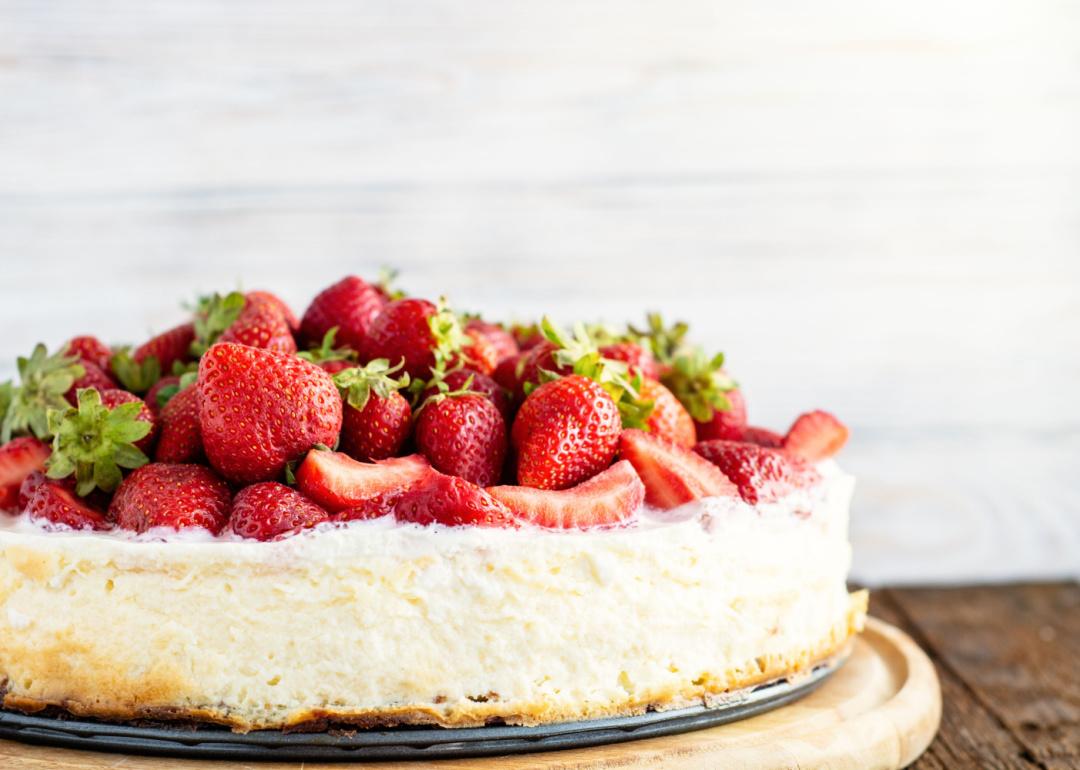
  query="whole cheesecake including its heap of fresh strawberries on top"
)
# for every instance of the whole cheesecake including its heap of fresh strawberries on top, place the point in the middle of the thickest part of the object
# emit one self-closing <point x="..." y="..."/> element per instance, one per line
<point x="387" y="514"/>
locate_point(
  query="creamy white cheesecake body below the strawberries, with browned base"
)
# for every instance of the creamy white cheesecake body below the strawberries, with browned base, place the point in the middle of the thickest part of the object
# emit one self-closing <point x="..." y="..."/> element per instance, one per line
<point x="377" y="623"/>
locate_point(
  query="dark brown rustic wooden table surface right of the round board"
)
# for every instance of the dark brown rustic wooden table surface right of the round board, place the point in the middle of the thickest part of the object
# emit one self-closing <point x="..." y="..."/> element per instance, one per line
<point x="1009" y="664"/>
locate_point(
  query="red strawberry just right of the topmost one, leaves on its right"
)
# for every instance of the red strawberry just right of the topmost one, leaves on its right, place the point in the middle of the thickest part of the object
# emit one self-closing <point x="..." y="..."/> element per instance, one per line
<point x="402" y="332"/>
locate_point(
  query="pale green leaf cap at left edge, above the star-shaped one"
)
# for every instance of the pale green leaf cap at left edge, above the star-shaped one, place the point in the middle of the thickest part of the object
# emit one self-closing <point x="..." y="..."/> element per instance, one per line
<point x="45" y="380"/>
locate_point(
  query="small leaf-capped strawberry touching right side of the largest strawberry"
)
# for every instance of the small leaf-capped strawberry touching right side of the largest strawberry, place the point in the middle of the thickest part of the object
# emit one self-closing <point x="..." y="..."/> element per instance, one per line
<point x="377" y="418"/>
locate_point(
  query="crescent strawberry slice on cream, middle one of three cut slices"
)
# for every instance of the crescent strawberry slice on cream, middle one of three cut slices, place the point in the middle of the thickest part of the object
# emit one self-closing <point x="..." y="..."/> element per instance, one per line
<point x="610" y="497"/>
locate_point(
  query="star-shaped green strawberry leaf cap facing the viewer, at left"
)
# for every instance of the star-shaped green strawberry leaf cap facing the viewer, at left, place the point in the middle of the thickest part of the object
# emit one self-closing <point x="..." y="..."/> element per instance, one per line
<point x="94" y="442"/>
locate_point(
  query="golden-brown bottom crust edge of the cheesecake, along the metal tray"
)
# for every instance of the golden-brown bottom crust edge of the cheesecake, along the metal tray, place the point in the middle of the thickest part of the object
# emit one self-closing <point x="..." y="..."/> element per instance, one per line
<point x="478" y="714"/>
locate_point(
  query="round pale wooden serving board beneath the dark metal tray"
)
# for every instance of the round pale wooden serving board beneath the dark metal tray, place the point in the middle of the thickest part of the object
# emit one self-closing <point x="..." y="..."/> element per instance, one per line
<point x="881" y="711"/>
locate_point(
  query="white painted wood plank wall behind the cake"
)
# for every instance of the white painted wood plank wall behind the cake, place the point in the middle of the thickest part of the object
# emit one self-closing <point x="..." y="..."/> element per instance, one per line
<point x="872" y="207"/>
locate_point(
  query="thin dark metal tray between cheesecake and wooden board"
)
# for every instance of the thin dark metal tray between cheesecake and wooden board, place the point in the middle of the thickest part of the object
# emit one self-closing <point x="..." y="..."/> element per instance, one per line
<point x="406" y="744"/>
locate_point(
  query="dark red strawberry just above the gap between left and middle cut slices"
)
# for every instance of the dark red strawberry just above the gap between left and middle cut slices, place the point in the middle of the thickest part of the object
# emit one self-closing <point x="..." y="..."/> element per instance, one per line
<point x="464" y="436"/>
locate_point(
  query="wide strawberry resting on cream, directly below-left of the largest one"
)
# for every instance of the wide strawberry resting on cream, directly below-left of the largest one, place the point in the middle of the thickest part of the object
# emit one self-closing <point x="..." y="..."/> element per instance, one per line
<point x="172" y="495"/>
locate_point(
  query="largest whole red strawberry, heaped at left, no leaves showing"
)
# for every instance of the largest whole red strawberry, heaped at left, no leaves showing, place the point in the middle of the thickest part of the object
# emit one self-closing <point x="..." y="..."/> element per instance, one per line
<point x="260" y="411"/>
